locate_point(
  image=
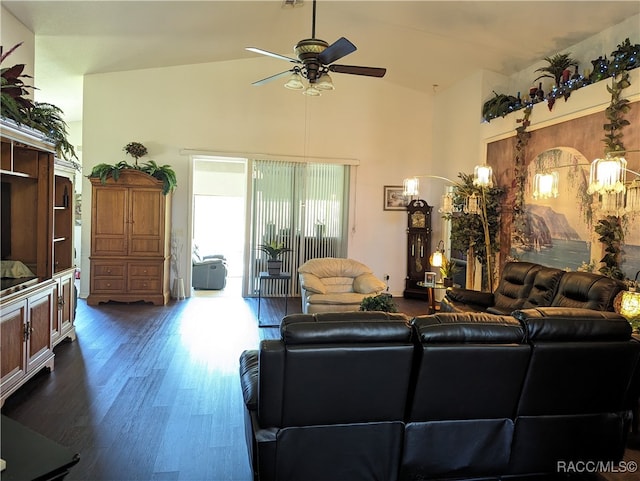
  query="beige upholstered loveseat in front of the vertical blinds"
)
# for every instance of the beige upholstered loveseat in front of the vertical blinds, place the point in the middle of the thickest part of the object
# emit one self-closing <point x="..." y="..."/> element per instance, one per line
<point x="331" y="284"/>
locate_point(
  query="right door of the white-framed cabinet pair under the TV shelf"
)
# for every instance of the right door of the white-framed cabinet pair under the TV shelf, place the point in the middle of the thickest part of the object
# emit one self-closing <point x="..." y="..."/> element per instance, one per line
<point x="39" y="321"/>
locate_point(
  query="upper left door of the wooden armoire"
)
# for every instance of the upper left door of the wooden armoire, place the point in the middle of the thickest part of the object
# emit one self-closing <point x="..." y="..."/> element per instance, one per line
<point x="109" y="221"/>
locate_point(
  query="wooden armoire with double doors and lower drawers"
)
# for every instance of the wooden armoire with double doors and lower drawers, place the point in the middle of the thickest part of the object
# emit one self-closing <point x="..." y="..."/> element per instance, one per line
<point x="130" y="239"/>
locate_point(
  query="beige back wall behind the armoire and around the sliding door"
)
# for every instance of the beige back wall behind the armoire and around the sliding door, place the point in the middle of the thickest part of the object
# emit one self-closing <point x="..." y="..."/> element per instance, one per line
<point x="213" y="107"/>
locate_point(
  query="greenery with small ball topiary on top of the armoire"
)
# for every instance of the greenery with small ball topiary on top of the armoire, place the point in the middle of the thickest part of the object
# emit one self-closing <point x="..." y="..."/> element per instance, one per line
<point x="136" y="150"/>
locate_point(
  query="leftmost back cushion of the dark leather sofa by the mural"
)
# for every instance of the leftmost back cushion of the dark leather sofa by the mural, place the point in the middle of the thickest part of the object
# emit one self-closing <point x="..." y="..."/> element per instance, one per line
<point x="515" y="285"/>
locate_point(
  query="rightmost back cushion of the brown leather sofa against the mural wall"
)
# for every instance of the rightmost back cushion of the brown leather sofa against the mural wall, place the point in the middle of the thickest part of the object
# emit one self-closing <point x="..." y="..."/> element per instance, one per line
<point x="587" y="290"/>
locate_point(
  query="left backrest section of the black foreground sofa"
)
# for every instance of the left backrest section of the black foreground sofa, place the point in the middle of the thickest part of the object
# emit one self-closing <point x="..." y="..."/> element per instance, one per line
<point x="332" y="369"/>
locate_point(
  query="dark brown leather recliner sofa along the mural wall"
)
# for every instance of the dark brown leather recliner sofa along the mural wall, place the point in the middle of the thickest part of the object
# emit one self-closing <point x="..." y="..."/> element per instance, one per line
<point x="526" y="285"/>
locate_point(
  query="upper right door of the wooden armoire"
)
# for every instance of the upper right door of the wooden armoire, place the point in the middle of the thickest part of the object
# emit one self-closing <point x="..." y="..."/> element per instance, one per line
<point x="146" y="222"/>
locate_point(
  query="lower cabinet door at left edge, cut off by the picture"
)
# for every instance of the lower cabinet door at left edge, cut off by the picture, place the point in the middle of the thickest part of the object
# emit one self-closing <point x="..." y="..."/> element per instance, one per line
<point x="12" y="334"/>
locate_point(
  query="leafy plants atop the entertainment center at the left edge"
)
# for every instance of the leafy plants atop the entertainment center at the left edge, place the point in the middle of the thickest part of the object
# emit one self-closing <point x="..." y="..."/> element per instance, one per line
<point x="41" y="116"/>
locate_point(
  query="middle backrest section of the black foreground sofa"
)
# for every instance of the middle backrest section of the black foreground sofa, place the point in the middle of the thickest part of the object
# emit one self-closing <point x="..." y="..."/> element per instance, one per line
<point x="471" y="366"/>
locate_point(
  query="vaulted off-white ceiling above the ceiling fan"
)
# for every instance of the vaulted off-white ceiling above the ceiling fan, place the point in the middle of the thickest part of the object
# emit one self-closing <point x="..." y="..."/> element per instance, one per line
<point x="421" y="43"/>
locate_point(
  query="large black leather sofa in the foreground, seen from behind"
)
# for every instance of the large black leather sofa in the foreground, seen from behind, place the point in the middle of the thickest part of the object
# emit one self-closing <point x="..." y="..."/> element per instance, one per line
<point x="376" y="396"/>
